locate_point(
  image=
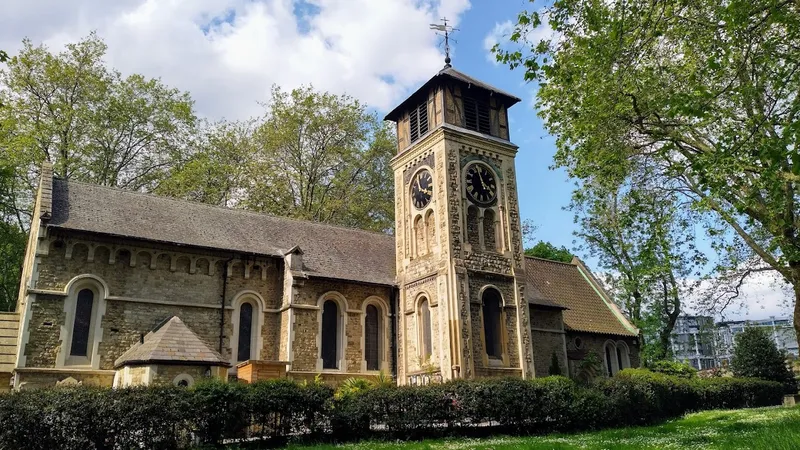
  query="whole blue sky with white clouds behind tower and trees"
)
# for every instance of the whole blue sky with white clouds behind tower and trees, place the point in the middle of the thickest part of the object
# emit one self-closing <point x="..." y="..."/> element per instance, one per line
<point x="228" y="54"/>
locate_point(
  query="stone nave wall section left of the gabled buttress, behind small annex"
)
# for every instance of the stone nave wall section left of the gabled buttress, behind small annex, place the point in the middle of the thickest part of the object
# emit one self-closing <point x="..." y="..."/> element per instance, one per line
<point x="147" y="283"/>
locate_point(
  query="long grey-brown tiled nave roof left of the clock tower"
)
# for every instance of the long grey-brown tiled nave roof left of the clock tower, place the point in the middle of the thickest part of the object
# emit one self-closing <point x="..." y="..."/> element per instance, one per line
<point x="328" y="251"/>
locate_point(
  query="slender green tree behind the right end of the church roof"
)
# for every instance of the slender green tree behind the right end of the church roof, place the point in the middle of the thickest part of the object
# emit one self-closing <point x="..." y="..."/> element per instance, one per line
<point x="645" y="243"/>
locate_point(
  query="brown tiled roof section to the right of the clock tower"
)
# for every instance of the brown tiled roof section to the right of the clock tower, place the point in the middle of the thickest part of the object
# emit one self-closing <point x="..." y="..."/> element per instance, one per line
<point x="587" y="309"/>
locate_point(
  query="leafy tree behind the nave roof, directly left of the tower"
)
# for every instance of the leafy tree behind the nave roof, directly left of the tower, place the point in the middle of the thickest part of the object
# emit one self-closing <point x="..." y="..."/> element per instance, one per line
<point x="314" y="156"/>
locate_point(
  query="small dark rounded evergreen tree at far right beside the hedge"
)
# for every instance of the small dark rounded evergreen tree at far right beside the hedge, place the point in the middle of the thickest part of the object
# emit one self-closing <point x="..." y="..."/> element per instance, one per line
<point x="756" y="355"/>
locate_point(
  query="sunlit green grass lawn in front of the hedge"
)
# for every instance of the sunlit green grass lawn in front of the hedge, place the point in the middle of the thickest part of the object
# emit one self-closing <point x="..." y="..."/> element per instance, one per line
<point x="763" y="428"/>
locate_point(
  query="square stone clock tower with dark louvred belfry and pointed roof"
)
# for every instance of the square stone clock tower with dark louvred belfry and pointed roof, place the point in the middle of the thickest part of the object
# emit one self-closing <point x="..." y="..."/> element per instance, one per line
<point x="462" y="311"/>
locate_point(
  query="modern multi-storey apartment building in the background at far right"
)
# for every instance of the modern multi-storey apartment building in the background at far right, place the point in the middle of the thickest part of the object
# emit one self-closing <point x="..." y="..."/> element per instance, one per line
<point x="703" y="344"/>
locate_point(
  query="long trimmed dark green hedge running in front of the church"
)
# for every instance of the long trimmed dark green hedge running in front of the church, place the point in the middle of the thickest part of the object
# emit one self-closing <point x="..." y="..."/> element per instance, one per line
<point x="211" y="413"/>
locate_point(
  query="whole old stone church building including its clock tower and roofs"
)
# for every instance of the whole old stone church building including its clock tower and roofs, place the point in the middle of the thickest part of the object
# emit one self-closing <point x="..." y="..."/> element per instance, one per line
<point x="123" y="288"/>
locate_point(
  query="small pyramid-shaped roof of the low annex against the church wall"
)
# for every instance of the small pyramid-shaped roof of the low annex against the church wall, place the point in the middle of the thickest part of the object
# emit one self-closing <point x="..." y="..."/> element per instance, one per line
<point x="172" y="342"/>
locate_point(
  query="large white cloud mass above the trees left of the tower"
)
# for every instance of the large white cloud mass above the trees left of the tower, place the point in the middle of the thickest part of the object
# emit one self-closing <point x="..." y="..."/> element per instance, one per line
<point x="228" y="53"/>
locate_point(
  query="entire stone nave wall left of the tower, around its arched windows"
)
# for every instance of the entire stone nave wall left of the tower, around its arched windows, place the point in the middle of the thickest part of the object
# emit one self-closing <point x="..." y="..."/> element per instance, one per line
<point x="148" y="283"/>
